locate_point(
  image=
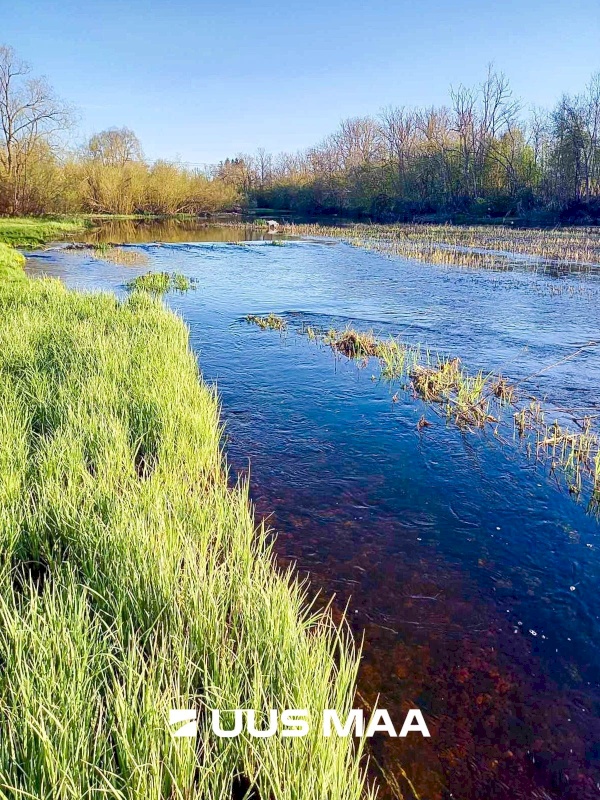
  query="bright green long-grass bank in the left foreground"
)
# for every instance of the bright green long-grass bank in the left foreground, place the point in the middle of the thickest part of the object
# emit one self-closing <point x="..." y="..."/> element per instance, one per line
<point x="132" y="579"/>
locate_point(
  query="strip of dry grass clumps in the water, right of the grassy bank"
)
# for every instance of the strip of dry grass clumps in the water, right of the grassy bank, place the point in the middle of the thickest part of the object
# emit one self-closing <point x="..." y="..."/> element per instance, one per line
<point x="479" y="401"/>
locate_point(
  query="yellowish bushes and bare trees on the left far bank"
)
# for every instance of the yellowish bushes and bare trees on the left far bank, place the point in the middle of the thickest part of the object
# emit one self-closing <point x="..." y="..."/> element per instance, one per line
<point x="107" y="174"/>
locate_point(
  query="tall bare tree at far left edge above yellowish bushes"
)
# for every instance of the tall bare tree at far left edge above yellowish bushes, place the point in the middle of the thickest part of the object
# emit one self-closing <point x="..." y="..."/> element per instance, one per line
<point x="30" y="117"/>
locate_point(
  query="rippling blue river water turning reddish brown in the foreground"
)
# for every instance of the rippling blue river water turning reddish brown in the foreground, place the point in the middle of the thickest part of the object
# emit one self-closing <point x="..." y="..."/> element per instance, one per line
<point x="457" y="555"/>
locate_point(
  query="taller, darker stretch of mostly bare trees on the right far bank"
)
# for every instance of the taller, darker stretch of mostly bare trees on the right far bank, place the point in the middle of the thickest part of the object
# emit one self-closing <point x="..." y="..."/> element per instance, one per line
<point x="480" y="155"/>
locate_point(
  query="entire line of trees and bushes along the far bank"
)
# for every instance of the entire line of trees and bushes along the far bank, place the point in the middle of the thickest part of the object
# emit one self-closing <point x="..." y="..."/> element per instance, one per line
<point x="480" y="155"/>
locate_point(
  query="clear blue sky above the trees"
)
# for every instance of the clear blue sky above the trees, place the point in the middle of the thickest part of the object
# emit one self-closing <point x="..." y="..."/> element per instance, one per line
<point x="201" y="81"/>
